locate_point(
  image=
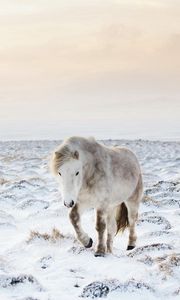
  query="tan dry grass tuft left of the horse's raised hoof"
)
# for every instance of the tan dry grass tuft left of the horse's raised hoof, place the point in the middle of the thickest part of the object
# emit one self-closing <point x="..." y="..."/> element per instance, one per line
<point x="53" y="237"/>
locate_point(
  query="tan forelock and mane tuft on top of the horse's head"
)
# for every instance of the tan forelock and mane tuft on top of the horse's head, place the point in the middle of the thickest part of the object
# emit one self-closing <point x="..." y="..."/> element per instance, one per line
<point x="60" y="156"/>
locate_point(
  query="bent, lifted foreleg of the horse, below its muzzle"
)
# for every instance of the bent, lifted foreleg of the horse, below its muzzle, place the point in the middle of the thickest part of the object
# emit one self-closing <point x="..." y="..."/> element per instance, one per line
<point x="76" y="222"/>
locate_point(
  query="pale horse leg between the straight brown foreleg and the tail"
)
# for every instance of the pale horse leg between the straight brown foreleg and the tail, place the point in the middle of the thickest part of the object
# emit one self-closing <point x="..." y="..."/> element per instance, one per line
<point x="111" y="229"/>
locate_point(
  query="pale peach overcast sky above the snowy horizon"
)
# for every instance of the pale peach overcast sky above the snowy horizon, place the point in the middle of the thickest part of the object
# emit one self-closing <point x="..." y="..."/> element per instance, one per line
<point x="106" y="68"/>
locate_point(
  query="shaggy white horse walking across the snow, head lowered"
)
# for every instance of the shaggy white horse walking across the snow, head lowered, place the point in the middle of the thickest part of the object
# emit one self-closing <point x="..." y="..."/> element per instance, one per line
<point x="107" y="179"/>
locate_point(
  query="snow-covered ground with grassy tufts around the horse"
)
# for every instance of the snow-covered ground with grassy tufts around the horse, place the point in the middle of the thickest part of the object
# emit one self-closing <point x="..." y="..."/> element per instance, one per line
<point x="39" y="256"/>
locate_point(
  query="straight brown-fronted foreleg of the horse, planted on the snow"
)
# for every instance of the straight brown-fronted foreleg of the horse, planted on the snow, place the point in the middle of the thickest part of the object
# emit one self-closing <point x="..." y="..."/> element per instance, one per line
<point x="101" y="228"/>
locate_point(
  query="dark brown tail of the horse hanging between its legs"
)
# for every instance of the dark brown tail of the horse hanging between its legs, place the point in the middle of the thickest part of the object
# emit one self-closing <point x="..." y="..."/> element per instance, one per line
<point x="122" y="217"/>
